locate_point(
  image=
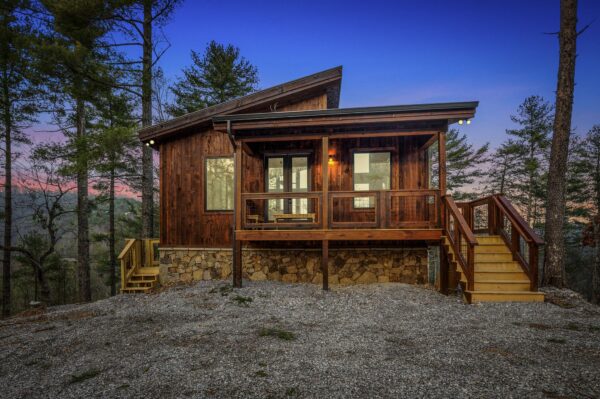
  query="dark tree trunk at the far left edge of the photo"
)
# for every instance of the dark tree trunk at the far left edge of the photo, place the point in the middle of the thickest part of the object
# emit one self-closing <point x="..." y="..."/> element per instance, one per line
<point x="6" y="256"/>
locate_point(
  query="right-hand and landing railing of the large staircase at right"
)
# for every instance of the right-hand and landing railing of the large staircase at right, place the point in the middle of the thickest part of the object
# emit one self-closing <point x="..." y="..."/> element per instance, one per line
<point x="495" y="215"/>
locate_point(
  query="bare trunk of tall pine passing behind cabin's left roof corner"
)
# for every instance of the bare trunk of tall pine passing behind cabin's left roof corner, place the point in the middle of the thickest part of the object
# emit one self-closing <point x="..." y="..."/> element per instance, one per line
<point x="147" y="164"/>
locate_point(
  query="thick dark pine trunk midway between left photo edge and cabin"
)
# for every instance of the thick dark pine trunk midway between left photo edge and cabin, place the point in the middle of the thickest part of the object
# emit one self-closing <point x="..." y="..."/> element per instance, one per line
<point x="83" y="240"/>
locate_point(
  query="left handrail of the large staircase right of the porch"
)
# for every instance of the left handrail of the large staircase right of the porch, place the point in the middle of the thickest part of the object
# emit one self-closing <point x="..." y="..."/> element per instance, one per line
<point x="459" y="233"/>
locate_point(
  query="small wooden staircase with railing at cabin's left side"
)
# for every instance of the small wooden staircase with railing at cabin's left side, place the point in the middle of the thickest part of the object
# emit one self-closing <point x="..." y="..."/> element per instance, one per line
<point x="139" y="266"/>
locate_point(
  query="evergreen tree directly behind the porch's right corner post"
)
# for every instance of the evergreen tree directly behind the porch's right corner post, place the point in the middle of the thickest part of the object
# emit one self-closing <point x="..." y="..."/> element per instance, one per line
<point x="463" y="161"/>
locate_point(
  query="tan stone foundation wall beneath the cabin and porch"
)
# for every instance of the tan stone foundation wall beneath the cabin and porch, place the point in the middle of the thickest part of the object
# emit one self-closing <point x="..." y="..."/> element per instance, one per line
<point x="346" y="266"/>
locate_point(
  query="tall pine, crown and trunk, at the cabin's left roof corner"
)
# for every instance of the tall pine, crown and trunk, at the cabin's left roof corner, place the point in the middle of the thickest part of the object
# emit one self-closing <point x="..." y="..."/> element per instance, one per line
<point x="139" y="21"/>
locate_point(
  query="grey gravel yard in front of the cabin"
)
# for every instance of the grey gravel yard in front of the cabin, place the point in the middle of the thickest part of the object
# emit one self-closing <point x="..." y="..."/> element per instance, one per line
<point x="275" y="340"/>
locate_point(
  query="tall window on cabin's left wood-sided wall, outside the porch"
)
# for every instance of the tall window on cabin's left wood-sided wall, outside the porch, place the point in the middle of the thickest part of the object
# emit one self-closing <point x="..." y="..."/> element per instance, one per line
<point x="219" y="184"/>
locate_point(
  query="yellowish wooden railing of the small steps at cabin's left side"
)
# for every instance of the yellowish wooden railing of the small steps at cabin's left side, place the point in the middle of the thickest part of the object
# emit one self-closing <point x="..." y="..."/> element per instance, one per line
<point x="136" y="254"/>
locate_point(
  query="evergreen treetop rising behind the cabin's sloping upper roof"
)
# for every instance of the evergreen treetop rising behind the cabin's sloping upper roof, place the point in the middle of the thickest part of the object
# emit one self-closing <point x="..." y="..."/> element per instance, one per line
<point x="219" y="75"/>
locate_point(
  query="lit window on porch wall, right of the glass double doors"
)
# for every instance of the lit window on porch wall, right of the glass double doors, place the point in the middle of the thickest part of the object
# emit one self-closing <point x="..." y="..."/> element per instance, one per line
<point x="371" y="173"/>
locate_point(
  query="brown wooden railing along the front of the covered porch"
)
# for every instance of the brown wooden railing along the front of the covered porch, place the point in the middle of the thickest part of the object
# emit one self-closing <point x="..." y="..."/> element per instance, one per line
<point x="386" y="209"/>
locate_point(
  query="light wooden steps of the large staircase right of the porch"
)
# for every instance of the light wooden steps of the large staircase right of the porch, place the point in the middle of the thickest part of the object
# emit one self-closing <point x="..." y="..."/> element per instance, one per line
<point x="498" y="278"/>
